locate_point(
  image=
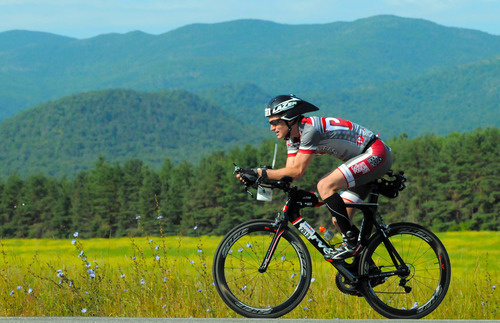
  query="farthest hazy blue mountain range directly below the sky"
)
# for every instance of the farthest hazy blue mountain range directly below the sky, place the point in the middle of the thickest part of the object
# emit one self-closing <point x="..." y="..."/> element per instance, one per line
<point x="278" y="58"/>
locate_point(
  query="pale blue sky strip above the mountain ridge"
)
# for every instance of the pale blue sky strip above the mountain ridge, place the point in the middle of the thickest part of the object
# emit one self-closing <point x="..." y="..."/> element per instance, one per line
<point x="88" y="18"/>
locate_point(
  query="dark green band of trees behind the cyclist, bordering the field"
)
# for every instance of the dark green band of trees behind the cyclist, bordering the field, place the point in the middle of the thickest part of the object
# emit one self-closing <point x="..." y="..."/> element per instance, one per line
<point x="452" y="185"/>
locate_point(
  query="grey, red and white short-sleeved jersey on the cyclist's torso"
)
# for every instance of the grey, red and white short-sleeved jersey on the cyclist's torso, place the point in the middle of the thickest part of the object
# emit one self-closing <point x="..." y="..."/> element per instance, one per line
<point x="334" y="136"/>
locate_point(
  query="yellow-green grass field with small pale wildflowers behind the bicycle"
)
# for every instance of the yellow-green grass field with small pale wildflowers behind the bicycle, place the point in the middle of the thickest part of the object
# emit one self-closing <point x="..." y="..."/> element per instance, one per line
<point x="171" y="277"/>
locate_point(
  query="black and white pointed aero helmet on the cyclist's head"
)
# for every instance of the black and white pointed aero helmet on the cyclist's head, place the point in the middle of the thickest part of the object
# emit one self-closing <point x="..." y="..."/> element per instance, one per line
<point x="289" y="107"/>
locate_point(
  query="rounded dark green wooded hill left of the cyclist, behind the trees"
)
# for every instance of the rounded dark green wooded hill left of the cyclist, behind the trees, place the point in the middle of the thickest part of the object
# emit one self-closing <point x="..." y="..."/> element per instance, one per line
<point x="67" y="135"/>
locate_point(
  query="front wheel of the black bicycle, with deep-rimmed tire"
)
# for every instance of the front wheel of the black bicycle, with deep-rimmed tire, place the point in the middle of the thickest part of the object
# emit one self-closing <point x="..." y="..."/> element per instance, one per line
<point x="250" y="293"/>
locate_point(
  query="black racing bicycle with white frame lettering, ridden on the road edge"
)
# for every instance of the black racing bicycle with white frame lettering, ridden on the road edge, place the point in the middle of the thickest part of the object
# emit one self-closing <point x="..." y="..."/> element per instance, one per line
<point x="262" y="268"/>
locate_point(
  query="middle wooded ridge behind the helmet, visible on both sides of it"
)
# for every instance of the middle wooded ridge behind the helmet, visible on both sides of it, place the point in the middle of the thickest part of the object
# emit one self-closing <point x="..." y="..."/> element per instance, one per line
<point x="455" y="99"/>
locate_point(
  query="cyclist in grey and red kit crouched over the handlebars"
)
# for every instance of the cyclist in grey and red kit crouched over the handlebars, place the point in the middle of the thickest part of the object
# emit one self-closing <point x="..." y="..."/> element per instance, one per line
<point x="365" y="158"/>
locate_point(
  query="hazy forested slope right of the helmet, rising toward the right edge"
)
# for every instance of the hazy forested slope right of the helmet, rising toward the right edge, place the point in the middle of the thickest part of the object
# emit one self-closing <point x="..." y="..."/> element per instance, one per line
<point x="459" y="99"/>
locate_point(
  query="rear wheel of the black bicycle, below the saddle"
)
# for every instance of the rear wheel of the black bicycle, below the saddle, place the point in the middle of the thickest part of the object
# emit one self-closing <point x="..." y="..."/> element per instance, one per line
<point x="426" y="285"/>
